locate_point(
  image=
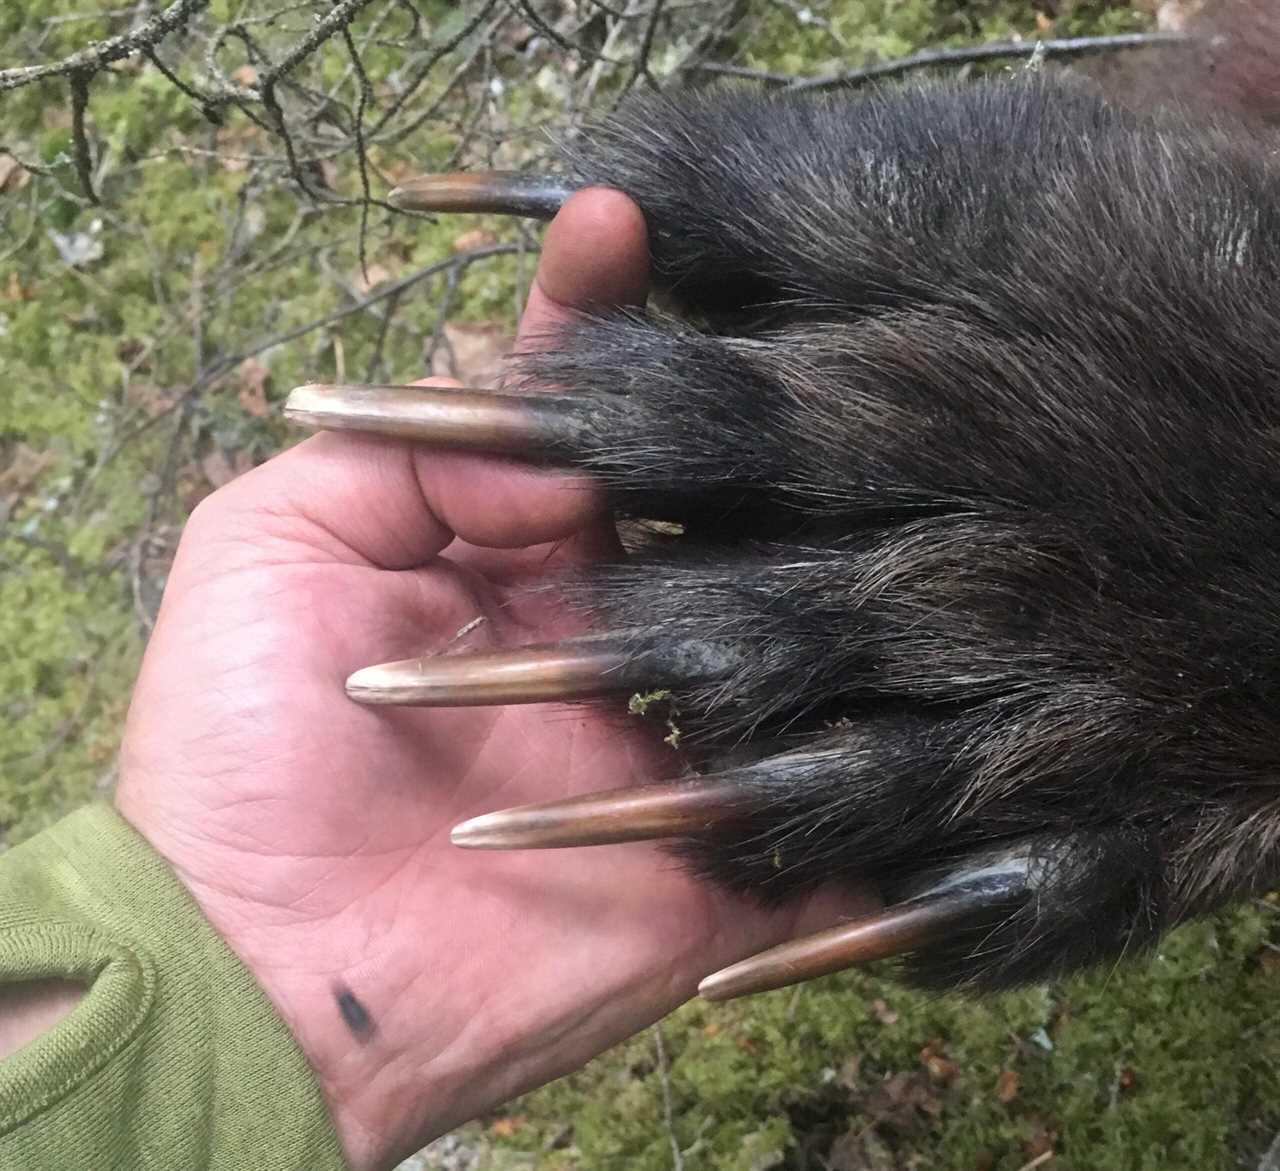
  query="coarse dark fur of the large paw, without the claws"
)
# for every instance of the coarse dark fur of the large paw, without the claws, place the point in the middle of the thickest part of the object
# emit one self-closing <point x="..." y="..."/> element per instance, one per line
<point x="976" y="446"/>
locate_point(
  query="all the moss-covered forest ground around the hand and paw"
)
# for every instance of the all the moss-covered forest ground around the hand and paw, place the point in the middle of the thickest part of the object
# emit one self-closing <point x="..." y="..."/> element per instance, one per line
<point x="136" y="382"/>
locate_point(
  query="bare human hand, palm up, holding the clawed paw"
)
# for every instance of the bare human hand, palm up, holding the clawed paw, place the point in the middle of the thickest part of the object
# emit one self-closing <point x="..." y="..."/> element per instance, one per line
<point x="316" y="832"/>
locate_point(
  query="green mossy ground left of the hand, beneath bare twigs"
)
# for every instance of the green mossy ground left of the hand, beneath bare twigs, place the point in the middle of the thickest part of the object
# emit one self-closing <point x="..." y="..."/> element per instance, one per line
<point x="99" y="364"/>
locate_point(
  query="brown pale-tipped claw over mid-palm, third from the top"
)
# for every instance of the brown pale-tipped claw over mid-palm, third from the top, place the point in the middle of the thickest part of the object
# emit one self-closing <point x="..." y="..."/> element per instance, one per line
<point x="582" y="669"/>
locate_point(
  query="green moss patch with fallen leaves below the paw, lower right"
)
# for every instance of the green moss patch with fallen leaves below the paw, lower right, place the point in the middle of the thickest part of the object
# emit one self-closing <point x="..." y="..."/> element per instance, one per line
<point x="1155" y="1065"/>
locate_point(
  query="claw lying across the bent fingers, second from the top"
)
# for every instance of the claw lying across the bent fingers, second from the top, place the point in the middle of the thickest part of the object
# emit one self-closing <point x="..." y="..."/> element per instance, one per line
<point x="531" y="426"/>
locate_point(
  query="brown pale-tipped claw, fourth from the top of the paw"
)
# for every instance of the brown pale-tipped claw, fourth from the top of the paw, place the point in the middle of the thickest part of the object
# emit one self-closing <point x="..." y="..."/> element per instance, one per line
<point x="607" y="818"/>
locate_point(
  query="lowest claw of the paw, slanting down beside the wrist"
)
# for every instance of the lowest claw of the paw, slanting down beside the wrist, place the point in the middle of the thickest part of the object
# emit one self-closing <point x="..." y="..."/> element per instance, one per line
<point x="959" y="903"/>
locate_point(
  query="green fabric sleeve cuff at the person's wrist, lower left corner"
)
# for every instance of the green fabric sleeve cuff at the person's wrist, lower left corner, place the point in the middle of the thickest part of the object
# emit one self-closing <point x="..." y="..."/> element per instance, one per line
<point x="175" y="1060"/>
